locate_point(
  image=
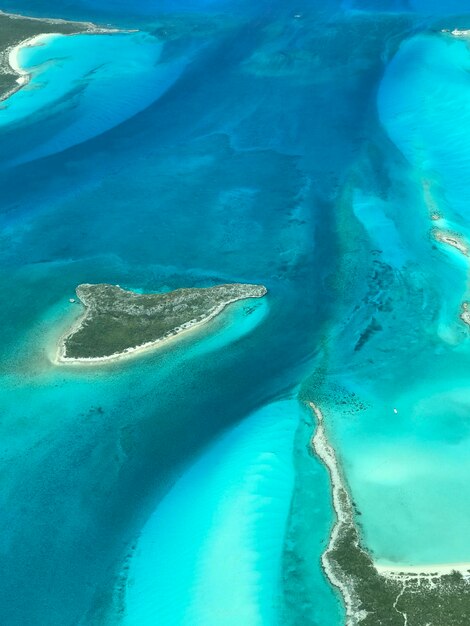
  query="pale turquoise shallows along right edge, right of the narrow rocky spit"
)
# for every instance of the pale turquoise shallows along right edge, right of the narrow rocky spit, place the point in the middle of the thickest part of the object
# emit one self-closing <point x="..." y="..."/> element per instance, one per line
<point x="406" y="450"/>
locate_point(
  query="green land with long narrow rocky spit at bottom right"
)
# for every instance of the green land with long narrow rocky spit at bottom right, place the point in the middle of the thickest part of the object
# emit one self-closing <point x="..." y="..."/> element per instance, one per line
<point x="376" y="596"/>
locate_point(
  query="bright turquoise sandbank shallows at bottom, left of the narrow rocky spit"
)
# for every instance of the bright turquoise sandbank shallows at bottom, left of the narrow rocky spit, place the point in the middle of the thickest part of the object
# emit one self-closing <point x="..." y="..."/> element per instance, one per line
<point x="238" y="496"/>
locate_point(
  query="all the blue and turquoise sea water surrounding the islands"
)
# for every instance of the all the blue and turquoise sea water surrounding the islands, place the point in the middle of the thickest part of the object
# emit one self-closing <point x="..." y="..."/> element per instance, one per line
<point x="230" y="142"/>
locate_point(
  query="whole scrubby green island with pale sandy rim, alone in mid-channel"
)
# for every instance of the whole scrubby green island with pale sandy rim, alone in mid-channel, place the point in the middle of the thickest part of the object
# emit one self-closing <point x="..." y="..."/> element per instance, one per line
<point x="117" y="322"/>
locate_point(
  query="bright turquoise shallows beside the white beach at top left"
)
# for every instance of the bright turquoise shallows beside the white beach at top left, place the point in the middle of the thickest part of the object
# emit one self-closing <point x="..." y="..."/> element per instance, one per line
<point x="77" y="79"/>
